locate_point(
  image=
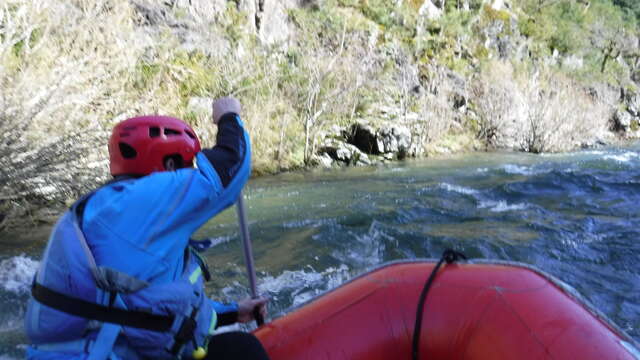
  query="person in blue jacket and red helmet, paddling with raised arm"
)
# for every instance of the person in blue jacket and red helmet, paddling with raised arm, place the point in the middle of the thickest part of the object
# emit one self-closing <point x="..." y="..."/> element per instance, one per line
<point x="120" y="277"/>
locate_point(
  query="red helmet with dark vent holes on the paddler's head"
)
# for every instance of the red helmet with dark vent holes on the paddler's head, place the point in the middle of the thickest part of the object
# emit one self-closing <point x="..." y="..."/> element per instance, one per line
<point x="140" y="145"/>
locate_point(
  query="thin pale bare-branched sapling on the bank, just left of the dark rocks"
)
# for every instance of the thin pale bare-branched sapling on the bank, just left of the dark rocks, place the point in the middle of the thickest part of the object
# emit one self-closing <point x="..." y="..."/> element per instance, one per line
<point x="329" y="73"/>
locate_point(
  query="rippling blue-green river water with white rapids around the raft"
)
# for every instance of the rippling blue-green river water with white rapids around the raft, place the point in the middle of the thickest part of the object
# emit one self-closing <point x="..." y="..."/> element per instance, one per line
<point x="575" y="216"/>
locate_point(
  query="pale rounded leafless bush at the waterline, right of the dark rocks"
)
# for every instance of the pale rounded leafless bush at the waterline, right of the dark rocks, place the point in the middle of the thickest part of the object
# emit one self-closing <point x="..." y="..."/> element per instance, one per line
<point x="535" y="112"/>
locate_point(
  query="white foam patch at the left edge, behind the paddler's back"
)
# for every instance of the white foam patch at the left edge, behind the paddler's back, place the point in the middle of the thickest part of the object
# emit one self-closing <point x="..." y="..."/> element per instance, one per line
<point x="16" y="274"/>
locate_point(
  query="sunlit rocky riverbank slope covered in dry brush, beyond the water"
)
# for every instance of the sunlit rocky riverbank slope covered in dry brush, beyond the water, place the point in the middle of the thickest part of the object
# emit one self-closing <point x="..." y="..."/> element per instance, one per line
<point x="322" y="83"/>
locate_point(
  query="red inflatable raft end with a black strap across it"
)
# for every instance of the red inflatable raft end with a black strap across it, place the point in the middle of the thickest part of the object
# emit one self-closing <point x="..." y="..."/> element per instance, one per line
<point x="472" y="311"/>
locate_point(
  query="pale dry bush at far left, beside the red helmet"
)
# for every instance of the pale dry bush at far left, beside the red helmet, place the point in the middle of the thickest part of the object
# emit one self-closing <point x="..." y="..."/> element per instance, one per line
<point x="58" y="88"/>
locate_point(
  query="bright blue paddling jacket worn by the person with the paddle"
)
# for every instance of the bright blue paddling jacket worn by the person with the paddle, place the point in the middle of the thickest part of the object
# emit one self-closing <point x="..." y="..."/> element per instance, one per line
<point x="126" y="246"/>
